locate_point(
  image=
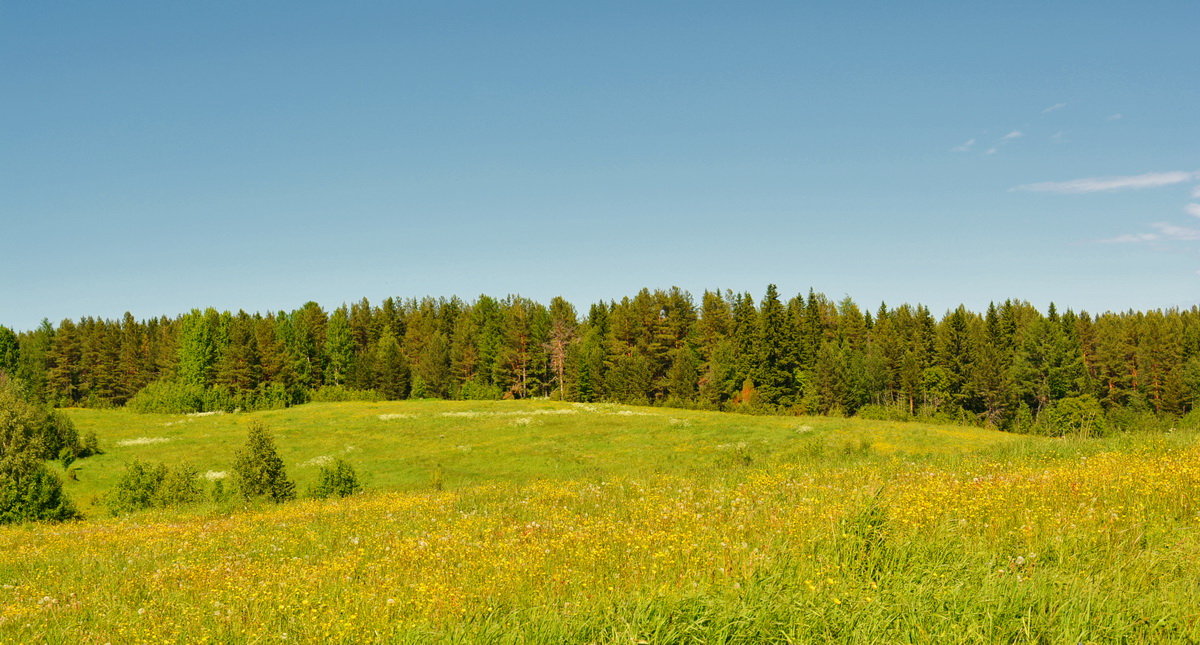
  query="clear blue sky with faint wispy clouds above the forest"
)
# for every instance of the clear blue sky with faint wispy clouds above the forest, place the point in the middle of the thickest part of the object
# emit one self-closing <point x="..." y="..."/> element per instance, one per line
<point x="161" y="156"/>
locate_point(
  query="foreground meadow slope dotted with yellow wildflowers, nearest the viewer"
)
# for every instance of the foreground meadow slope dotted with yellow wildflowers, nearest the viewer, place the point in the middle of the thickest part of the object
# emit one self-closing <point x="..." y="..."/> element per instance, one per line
<point x="1088" y="548"/>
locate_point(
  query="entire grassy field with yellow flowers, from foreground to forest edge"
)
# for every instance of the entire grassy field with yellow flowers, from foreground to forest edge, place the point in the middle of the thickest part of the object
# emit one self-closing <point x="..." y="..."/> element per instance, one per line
<point x="566" y="523"/>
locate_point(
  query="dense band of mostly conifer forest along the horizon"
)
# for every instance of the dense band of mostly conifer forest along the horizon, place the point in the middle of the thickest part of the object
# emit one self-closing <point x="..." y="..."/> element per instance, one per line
<point x="1011" y="367"/>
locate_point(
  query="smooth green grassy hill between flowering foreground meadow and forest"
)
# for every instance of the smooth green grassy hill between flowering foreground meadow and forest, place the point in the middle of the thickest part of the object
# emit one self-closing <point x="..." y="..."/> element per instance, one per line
<point x="400" y="445"/>
